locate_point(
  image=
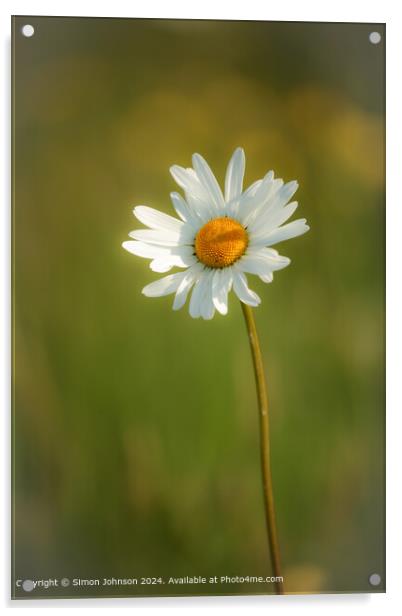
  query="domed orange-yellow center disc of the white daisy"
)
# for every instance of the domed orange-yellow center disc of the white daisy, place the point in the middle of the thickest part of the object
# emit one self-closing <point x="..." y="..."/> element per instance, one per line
<point x="220" y="242"/>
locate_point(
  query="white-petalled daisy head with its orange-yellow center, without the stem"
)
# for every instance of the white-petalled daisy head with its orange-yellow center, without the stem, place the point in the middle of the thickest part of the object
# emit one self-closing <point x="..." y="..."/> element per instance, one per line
<point x="218" y="238"/>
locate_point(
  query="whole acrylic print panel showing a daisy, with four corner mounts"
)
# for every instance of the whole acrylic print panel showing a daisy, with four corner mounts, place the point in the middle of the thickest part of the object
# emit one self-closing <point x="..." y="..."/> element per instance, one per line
<point x="140" y="448"/>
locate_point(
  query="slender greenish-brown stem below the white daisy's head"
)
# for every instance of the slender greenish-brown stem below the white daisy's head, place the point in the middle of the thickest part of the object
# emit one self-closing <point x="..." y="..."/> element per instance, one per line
<point x="265" y="445"/>
